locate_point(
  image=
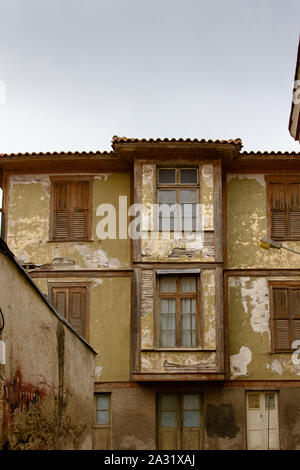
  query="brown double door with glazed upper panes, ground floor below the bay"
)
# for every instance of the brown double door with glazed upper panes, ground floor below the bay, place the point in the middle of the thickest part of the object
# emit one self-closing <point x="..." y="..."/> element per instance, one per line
<point x="179" y="421"/>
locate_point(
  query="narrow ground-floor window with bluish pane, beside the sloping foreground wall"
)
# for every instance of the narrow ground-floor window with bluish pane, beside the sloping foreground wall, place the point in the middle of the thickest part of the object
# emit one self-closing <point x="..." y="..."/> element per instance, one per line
<point x="102" y="422"/>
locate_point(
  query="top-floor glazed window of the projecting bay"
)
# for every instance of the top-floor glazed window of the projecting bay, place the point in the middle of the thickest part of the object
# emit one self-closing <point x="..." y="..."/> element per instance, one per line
<point x="178" y="186"/>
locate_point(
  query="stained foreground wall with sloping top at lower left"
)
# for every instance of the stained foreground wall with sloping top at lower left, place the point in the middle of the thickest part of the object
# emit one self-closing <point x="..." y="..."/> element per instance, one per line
<point x="46" y="384"/>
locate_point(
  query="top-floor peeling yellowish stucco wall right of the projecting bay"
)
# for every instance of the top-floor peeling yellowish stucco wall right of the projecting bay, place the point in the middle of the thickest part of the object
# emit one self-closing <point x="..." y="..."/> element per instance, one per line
<point x="247" y="224"/>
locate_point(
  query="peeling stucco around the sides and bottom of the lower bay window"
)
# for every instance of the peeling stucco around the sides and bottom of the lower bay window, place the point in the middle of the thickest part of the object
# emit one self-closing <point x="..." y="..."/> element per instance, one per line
<point x="163" y="361"/>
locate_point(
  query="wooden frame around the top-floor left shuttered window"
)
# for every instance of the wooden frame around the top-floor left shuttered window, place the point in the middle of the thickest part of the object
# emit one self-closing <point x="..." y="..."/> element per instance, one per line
<point x="69" y="179"/>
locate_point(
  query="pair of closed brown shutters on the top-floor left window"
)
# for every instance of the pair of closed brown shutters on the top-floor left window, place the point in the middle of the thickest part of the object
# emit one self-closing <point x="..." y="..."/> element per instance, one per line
<point x="71" y="201"/>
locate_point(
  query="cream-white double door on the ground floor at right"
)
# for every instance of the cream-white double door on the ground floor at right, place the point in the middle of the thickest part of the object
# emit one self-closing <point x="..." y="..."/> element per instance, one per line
<point x="262" y="420"/>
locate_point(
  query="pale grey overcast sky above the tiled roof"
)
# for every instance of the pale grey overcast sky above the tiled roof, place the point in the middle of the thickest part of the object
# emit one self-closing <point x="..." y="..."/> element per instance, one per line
<point x="79" y="71"/>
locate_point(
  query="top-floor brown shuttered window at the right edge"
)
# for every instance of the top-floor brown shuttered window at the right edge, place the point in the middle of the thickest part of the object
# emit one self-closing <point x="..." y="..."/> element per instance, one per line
<point x="283" y="208"/>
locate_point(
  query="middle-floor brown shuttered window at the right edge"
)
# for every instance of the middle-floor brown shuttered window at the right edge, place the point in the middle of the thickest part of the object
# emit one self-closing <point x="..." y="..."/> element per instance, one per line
<point x="285" y="315"/>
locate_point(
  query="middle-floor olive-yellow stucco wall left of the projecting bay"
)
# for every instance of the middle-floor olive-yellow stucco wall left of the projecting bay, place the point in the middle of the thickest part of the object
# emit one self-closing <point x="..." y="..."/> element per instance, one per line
<point x="109" y="323"/>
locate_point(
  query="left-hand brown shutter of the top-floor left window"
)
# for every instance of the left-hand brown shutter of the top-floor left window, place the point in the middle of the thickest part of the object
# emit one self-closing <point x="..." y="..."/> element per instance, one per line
<point x="61" y="212"/>
